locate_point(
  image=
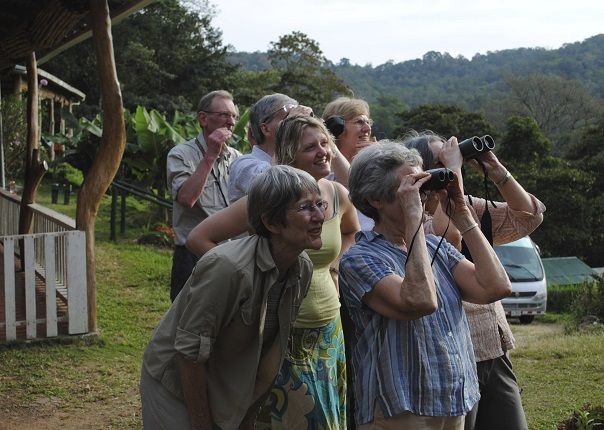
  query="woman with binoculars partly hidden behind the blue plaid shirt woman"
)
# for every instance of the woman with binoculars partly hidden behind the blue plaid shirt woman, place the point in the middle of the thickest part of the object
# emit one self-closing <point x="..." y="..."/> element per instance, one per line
<point x="520" y="213"/>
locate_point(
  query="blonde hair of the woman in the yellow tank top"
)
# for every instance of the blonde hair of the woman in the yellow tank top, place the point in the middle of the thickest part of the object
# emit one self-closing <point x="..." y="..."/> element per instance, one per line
<point x="289" y="137"/>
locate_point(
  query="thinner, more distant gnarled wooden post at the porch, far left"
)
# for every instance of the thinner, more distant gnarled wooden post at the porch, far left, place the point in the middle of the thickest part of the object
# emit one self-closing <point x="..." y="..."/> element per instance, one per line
<point x="34" y="168"/>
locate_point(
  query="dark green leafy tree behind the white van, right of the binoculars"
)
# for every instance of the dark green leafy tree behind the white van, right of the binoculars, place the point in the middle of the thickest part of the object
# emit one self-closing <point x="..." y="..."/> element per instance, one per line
<point x="569" y="225"/>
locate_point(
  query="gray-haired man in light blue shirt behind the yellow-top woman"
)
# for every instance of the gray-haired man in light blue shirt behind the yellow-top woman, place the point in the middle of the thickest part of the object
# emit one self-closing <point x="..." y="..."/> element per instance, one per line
<point x="265" y="116"/>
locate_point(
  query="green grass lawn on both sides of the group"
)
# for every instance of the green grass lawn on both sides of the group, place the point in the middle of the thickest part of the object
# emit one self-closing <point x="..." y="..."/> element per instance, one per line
<point x="93" y="383"/>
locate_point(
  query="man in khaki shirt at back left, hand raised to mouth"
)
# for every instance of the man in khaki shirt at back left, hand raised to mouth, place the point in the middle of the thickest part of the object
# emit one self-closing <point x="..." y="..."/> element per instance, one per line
<point x="197" y="173"/>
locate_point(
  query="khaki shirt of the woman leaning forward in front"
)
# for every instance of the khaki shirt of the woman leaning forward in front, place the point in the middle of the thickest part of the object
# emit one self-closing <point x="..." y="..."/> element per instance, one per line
<point x="218" y="320"/>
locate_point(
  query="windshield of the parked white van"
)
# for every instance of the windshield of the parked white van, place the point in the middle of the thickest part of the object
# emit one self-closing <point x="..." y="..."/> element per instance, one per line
<point x="521" y="263"/>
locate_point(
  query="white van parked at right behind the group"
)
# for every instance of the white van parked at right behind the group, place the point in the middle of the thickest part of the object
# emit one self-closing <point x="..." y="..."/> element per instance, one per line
<point x="523" y="265"/>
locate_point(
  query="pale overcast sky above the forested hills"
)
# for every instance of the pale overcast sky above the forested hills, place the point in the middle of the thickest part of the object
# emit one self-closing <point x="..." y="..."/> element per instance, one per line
<point x="375" y="31"/>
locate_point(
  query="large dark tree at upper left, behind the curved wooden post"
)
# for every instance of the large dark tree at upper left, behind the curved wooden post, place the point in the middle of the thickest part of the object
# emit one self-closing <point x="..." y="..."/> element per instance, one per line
<point x="166" y="57"/>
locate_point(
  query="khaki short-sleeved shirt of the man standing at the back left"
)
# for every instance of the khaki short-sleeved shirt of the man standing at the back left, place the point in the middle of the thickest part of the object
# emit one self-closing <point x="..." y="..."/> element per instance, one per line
<point x="181" y="163"/>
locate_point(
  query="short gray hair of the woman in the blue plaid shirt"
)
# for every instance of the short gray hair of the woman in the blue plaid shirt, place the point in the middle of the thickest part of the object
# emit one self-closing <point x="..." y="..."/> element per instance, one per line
<point x="374" y="176"/>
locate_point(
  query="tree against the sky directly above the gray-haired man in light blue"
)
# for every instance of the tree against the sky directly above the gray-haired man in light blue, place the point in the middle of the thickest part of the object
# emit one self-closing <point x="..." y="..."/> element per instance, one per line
<point x="303" y="70"/>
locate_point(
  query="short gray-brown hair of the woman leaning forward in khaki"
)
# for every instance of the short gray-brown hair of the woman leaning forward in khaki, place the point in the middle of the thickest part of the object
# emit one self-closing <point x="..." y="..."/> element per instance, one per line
<point x="273" y="193"/>
